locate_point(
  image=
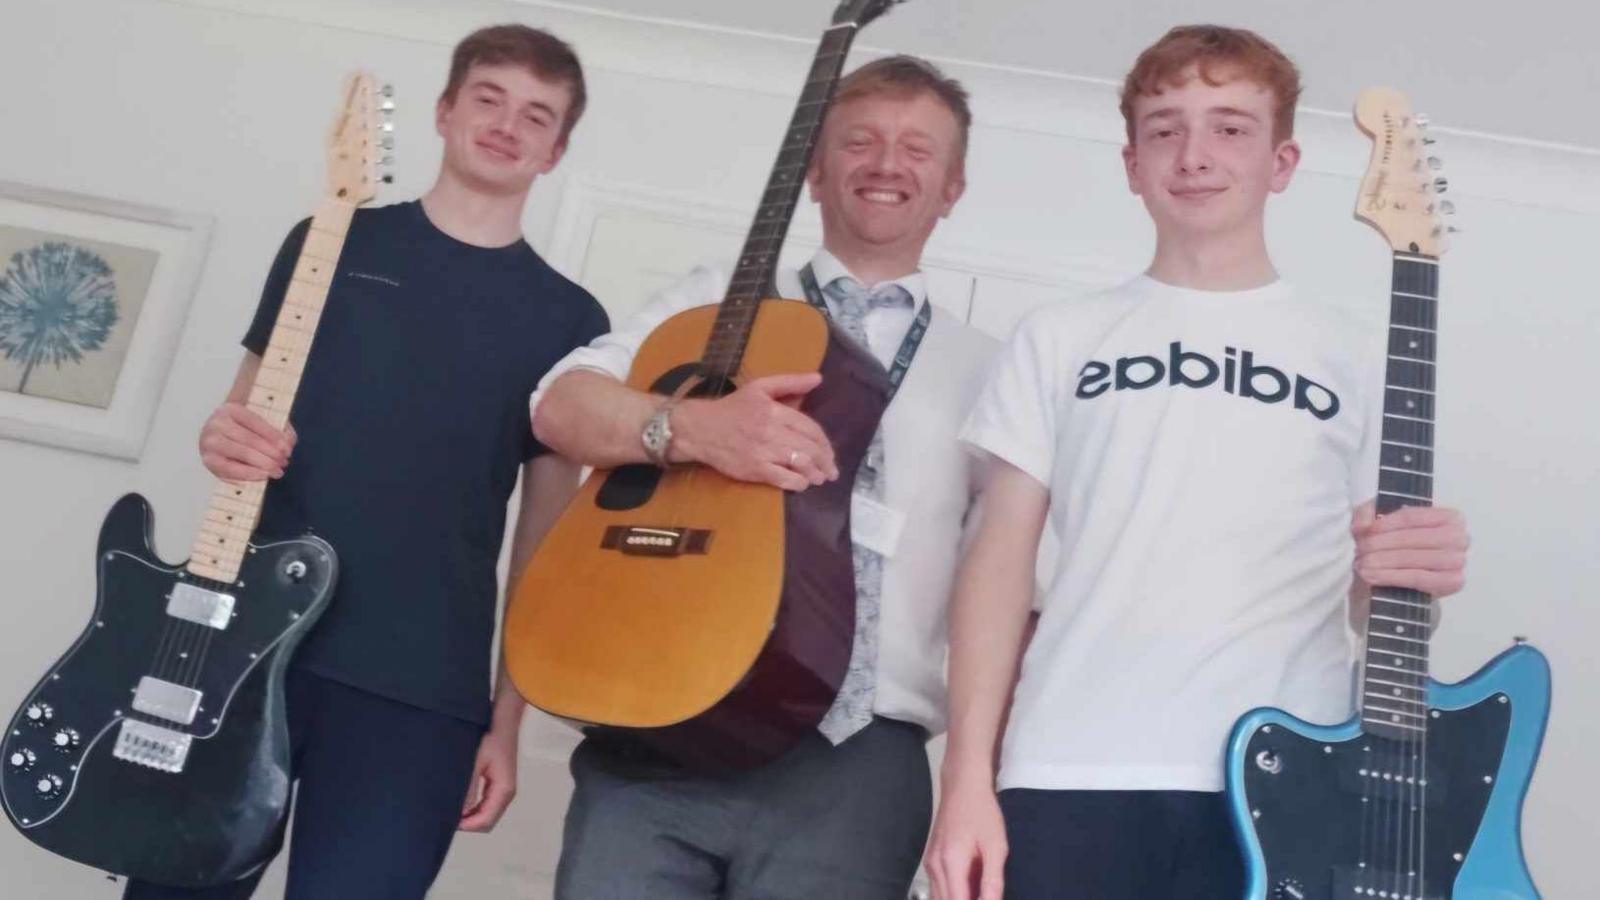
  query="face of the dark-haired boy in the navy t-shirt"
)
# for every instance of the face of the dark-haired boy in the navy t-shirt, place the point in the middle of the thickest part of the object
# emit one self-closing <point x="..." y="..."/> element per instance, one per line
<point x="503" y="129"/>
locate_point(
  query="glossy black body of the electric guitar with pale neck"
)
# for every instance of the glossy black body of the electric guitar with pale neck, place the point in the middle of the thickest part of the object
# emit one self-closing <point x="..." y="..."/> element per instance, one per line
<point x="222" y="816"/>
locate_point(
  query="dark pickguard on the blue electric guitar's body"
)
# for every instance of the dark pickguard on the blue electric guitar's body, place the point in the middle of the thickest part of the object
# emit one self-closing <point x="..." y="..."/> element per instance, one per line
<point x="1313" y="822"/>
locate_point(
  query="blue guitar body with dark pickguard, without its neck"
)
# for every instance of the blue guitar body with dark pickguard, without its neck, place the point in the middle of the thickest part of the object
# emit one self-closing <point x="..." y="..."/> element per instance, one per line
<point x="1321" y="811"/>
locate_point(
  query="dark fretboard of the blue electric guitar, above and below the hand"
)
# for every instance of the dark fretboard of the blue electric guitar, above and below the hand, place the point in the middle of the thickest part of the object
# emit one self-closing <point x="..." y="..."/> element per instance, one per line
<point x="1394" y="685"/>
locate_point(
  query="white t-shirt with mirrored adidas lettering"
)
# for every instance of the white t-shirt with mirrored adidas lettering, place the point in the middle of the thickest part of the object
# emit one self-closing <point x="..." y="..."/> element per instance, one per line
<point x="1204" y="454"/>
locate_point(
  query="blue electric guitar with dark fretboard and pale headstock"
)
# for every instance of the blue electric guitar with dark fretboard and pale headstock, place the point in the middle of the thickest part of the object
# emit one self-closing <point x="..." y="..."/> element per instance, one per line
<point x="1420" y="797"/>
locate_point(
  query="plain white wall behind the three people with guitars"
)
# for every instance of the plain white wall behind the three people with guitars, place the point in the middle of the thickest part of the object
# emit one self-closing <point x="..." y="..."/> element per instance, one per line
<point x="214" y="106"/>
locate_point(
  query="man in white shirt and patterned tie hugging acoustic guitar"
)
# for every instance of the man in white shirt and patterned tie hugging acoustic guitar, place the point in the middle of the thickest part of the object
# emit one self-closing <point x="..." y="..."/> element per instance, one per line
<point x="846" y="813"/>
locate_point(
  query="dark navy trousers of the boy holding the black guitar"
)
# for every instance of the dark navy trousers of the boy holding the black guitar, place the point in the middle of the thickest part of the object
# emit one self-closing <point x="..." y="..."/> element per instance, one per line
<point x="380" y="794"/>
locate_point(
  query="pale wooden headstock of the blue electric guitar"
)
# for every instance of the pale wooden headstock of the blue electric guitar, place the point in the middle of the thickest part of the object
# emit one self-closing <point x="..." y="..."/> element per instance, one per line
<point x="1402" y="188"/>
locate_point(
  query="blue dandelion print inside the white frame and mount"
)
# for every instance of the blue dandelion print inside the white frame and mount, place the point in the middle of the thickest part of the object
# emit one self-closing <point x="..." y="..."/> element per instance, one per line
<point x="66" y="315"/>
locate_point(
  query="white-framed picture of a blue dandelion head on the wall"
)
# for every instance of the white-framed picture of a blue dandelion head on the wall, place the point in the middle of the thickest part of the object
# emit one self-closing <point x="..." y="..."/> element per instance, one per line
<point x="94" y="297"/>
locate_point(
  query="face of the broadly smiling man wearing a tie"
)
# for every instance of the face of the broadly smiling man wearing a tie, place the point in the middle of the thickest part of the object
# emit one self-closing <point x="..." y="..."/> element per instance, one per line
<point x="887" y="171"/>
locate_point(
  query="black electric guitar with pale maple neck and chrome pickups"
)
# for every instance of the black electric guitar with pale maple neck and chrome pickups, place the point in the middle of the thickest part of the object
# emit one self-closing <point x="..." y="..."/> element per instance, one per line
<point x="158" y="745"/>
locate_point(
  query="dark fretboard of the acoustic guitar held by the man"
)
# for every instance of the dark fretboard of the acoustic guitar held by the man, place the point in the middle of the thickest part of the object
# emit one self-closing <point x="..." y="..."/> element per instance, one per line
<point x="753" y="278"/>
